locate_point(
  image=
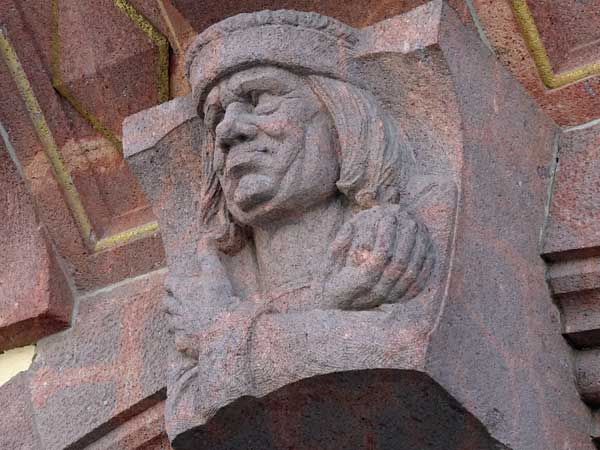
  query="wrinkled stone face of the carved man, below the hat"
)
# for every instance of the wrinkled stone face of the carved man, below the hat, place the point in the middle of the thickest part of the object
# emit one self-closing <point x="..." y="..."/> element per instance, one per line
<point x="274" y="150"/>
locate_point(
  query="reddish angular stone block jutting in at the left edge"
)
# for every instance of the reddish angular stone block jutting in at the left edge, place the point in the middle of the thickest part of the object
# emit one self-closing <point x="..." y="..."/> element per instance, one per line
<point x="35" y="298"/>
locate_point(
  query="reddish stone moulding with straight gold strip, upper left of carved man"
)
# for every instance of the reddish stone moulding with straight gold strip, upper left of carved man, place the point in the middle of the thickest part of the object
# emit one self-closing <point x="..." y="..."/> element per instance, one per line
<point x="77" y="177"/>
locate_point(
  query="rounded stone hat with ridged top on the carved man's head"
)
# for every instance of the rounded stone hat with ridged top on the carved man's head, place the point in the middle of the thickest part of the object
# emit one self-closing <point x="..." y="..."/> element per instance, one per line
<point x="306" y="42"/>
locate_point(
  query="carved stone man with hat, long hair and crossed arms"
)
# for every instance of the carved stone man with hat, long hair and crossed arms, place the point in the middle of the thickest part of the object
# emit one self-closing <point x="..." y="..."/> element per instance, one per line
<point x="344" y="230"/>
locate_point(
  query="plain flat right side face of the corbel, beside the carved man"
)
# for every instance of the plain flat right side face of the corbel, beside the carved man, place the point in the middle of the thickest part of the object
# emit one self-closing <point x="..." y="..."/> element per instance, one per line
<point x="500" y="323"/>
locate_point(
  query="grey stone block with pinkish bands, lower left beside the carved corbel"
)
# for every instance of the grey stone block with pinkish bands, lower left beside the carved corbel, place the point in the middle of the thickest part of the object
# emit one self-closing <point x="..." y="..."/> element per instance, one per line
<point x="106" y="369"/>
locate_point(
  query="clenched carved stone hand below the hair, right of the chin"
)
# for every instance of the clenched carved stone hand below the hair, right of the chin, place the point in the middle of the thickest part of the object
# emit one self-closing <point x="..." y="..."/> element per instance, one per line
<point x="382" y="255"/>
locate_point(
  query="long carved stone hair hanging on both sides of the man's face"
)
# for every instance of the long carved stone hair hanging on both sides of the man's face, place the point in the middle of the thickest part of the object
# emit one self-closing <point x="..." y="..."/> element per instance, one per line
<point x="375" y="160"/>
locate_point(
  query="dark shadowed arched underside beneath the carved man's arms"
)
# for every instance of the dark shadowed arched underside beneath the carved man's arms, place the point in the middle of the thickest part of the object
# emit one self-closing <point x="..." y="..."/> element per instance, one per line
<point x="368" y="409"/>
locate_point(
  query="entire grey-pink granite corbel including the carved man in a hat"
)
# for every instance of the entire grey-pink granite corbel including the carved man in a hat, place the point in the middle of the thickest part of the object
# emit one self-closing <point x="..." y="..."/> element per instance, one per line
<point x="311" y="223"/>
